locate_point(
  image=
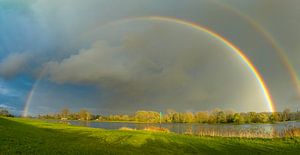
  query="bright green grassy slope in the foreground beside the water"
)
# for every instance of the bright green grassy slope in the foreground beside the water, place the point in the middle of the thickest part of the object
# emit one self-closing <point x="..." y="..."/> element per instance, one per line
<point x="28" y="136"/>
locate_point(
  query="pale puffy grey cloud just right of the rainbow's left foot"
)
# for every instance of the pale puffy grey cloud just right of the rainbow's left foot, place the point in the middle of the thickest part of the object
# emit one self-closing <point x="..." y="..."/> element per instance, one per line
<point x="90" y="65"/>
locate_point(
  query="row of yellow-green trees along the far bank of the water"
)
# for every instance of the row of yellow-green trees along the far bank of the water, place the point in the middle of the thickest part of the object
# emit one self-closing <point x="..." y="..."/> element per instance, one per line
<point x="172" y="116"/>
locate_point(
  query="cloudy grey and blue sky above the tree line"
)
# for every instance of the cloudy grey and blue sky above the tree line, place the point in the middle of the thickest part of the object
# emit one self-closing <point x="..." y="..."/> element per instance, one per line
<point x="108" y="57"/>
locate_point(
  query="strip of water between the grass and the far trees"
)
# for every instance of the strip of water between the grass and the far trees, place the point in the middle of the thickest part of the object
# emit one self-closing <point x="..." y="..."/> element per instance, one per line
<point x="192" y="127"/>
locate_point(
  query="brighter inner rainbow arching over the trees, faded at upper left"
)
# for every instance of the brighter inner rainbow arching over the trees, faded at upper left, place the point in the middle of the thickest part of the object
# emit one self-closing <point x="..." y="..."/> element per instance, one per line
<point x="195" y="26"/>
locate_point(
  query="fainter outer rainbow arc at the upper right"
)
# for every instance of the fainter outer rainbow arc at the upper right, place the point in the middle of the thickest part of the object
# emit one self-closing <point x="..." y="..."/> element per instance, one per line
<point x="270" y="39"/>
